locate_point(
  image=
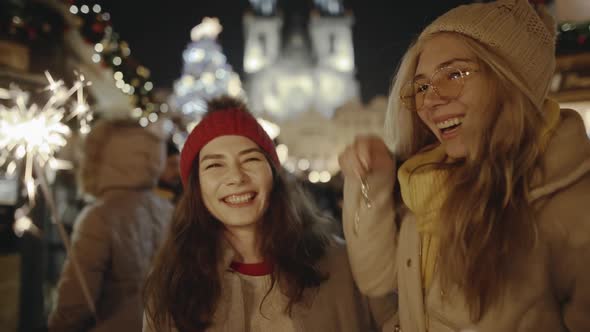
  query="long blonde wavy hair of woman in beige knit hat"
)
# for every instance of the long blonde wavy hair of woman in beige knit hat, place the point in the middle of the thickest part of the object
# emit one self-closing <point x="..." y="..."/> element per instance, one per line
<point x="486" y="215"/>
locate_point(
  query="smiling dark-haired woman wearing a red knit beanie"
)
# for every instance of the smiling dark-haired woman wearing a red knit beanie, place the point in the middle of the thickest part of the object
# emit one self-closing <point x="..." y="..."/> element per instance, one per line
<point x="246" y="251"/>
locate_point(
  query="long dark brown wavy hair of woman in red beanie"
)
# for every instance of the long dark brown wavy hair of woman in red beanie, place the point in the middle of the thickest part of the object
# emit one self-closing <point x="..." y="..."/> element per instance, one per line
<point x="184" y="286"/>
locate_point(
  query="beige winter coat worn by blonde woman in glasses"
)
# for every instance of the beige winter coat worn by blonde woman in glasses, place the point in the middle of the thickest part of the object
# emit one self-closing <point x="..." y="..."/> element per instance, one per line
<point x="553" y="294"/>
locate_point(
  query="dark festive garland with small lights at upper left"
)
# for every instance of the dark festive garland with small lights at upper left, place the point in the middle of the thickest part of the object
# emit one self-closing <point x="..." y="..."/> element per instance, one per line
<point x="32" y="24"/>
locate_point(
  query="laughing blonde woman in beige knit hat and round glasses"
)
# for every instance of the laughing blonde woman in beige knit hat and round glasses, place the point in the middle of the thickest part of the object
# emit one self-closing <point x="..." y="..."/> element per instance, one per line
<point x="474" y="210"/>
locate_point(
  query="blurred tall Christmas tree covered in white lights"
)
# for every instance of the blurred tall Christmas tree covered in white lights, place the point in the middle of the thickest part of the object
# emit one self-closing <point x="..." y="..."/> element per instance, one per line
<point x="206" y="73"/>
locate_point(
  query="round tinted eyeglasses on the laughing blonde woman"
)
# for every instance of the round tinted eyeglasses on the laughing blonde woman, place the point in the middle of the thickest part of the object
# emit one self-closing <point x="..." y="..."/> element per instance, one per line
<point x="446" y="82"/>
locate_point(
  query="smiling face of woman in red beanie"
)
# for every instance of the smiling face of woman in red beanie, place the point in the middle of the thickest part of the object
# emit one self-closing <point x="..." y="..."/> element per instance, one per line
<point x="236" y="181"/>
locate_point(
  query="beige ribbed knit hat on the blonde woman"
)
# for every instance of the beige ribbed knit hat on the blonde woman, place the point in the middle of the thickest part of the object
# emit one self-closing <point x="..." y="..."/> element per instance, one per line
<point x="516" y="31"/>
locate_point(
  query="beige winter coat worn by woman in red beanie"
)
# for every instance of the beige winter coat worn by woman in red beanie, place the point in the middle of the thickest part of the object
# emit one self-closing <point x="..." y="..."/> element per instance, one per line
<point x="336" y="306"/>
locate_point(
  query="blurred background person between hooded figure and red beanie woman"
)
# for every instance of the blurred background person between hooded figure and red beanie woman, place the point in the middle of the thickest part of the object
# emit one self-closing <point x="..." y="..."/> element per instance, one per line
<point x="169" y="183"/>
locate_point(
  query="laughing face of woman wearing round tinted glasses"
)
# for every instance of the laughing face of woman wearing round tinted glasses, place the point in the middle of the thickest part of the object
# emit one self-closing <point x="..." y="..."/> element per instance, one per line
<point x="445" y="116"/>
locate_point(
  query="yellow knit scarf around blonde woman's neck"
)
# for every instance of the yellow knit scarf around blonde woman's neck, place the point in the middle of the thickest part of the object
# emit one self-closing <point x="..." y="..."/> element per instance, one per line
<point x="423" y="191"/>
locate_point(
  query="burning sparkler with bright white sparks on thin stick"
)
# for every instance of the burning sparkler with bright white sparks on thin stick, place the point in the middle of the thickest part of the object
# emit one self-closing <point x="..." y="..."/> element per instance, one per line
<point x="32" y="135"/>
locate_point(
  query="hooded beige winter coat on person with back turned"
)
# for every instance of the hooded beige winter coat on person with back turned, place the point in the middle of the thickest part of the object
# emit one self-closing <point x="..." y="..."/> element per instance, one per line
<point x="115" y="237"/>
